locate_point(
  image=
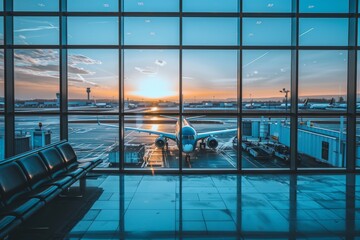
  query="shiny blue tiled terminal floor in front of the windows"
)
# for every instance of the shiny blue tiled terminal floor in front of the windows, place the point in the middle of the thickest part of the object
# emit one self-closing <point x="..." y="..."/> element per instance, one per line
<point x="209" y="207"/>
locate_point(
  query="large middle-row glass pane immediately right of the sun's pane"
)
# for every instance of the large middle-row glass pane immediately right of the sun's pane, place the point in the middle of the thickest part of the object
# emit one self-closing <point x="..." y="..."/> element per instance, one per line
<point x="210" y="80"/>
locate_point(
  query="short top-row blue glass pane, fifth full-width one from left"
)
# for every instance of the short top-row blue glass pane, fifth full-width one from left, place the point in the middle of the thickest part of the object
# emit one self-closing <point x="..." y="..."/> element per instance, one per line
<point x="267" y="6"/>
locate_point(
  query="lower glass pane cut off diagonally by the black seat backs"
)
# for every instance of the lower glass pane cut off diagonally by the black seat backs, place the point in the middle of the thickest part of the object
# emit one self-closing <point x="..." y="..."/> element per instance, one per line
<point x="33" y="132"/>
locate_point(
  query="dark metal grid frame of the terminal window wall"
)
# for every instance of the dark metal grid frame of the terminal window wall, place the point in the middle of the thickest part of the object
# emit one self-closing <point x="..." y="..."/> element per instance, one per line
<point x="352" y="48"/>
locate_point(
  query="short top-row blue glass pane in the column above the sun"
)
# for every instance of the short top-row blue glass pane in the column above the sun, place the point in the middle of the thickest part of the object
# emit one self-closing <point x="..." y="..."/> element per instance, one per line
<point x="151" y="6"/>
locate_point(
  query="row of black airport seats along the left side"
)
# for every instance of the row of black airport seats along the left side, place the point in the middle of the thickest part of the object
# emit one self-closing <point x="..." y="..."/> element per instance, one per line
<point x="30" y="182"/>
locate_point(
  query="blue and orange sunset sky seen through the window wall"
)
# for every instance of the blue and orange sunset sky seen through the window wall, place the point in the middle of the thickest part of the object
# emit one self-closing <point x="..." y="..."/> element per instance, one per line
<point x="154" y="74"/>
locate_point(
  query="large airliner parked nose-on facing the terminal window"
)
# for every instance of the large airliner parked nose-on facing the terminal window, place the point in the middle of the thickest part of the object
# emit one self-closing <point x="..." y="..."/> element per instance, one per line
<point x="189" y="139"/>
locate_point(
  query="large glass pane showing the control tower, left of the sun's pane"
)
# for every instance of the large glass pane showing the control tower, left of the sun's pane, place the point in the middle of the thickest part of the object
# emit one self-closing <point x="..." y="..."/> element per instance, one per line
<point x="93" y="80"/>
